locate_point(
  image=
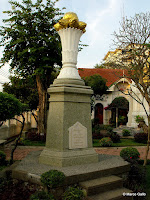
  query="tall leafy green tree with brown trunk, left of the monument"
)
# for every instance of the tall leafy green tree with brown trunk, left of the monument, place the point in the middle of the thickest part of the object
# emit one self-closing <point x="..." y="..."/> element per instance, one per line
<point x="32" y="46"/>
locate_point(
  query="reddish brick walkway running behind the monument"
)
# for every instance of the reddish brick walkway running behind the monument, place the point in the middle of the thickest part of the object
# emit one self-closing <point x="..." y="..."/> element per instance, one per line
<point x="22" y="151"/>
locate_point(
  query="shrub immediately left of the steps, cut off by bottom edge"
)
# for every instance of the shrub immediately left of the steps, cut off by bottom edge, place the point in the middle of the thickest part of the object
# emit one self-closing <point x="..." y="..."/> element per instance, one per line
<point x="73" y="193"/>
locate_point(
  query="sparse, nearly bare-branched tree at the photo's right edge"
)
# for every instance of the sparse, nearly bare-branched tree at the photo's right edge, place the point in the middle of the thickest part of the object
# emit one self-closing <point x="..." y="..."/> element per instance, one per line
<point x="133" y="44"/>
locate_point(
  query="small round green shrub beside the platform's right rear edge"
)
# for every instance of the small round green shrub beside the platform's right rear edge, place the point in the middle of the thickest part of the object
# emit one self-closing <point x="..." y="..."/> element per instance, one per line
<point x="130" y="154"/>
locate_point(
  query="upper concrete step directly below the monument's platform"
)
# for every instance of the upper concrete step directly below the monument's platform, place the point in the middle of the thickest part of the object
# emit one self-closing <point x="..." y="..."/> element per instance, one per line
<point x="102" y="184"/>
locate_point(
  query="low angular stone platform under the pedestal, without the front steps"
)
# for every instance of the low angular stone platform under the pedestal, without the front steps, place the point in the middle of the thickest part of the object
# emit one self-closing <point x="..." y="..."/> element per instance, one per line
<point x="29" y="169"/>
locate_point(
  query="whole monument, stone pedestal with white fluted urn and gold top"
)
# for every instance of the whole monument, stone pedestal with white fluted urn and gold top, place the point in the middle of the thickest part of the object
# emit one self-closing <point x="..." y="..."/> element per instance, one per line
<point x="69" y="133"/>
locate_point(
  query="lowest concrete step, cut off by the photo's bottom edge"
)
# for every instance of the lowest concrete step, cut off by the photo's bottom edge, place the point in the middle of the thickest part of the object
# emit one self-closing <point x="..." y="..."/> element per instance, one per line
<point x="116" y="194"/>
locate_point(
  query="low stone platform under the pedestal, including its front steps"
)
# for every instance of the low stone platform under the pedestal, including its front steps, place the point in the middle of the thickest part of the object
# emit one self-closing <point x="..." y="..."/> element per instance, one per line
<point x="101" y="178"/>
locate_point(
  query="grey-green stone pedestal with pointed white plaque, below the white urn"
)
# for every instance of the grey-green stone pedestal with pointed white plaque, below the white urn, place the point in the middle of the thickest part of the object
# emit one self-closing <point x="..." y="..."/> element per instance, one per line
<point x="69" y="133"/>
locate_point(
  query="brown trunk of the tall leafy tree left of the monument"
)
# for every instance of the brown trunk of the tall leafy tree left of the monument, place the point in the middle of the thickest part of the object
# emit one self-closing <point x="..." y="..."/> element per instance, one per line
<point x="42" y="106"/>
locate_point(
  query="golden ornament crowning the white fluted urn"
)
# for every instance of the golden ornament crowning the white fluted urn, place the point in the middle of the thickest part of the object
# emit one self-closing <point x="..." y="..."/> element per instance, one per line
<point x="70" y="19"/>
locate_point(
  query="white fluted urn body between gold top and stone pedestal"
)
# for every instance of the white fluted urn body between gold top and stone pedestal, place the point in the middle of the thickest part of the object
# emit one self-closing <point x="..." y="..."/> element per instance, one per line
<point x="70" y="38"/>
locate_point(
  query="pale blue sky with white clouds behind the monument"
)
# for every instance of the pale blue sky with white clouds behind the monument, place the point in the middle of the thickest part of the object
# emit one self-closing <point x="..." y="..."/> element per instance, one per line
<point x="103" y="17"/>
